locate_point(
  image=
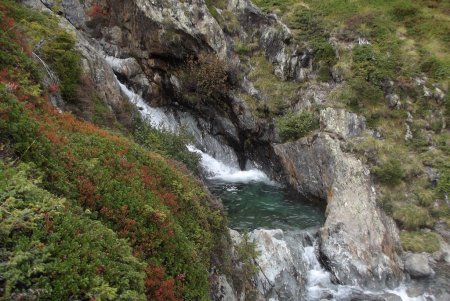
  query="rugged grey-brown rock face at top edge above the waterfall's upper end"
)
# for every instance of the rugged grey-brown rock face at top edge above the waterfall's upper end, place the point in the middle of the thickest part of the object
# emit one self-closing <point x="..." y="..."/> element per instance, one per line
<point x="162" y="28"/>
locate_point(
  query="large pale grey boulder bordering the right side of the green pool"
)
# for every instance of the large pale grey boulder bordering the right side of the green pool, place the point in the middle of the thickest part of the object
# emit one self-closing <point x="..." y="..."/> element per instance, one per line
<point x="358" y="242"/>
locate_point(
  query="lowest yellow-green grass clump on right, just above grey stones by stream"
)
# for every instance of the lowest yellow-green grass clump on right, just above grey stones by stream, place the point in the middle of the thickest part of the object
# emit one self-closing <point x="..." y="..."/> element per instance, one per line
<point x="418" y="242"/>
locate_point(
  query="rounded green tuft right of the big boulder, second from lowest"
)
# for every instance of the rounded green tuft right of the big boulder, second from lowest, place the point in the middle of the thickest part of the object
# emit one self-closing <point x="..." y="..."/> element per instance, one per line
<point x="411" y="217"/>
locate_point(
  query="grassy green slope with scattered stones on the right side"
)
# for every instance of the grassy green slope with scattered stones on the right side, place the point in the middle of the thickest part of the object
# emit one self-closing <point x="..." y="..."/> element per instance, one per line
<point x="405" y="52"/>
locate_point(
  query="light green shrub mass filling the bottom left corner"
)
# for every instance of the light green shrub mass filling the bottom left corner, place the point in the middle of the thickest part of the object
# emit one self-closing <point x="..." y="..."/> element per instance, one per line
<point x="53" y="252"/>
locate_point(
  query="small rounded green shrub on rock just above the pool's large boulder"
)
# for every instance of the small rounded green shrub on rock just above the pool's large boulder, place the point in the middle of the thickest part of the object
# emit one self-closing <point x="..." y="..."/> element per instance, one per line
<point x="295" y="126"/>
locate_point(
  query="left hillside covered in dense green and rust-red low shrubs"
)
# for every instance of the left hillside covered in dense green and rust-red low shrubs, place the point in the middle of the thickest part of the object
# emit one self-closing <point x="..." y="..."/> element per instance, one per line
<point x="85" y="213"/>
